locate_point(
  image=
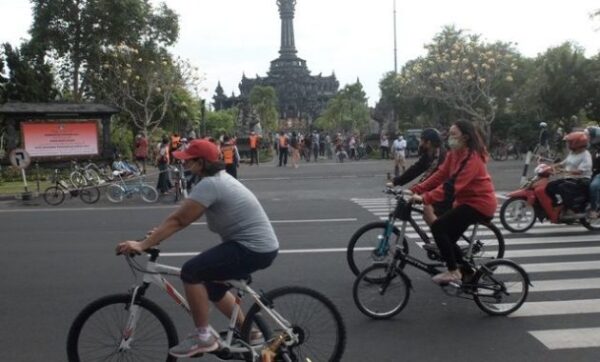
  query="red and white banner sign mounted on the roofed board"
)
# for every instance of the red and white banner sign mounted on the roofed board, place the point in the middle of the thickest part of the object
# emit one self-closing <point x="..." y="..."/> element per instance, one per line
<point x="60" y="138"/>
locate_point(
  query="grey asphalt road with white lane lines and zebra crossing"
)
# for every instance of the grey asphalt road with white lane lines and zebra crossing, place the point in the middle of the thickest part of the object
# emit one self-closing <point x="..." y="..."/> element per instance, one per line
<point x="56" y="260"/>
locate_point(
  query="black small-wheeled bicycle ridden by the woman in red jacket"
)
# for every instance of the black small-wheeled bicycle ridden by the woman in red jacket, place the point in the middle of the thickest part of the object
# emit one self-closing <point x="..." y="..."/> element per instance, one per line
<point x="498" y="287"/>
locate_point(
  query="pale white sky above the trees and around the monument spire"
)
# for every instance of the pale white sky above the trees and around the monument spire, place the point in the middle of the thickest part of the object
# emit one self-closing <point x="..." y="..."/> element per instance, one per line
<point x="353" y="38"/>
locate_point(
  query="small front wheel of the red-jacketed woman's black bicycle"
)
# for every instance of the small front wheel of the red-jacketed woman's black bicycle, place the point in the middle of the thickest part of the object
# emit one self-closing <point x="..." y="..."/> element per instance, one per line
<point x="379" y="293"/>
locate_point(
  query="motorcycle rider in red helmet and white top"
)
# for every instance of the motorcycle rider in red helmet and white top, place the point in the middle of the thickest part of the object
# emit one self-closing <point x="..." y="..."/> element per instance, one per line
<point x="575" y="171"/>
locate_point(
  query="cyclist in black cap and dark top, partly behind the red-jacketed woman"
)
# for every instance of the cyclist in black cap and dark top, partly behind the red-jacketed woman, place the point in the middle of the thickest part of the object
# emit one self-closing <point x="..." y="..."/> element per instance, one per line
<point x="432" y="154"/>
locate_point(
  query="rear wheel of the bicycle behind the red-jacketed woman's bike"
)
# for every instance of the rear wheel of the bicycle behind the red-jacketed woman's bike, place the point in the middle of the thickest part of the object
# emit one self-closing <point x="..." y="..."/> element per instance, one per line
<point x="486" y="236"/>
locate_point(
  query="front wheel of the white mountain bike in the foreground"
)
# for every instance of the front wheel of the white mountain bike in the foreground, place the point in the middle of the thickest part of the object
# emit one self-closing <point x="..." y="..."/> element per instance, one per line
<point x="97" y="334"/>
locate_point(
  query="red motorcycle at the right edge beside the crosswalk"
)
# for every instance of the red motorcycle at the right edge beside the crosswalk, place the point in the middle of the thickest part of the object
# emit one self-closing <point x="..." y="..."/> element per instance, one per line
<point x="530" y="203"/>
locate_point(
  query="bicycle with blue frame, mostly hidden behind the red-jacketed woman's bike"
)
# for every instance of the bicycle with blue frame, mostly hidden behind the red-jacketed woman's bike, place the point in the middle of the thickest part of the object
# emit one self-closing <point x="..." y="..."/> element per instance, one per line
<point x="377" y="240"/>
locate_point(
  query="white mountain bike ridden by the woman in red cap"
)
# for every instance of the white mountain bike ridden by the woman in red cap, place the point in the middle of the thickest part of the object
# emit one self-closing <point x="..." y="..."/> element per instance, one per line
<point x="121" y="326"/>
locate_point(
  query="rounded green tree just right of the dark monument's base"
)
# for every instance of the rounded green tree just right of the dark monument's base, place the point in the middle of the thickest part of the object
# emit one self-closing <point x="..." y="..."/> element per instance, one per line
<point x="347" y="111"/>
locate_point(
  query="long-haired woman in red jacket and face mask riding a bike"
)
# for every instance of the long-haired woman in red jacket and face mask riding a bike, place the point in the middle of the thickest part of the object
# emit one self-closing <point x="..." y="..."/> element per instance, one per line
<point x="473" y="201"/>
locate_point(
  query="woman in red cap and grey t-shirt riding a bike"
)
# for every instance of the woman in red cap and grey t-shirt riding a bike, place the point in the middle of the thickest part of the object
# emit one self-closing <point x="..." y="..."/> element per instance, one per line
<point x="233" y="212"/>
